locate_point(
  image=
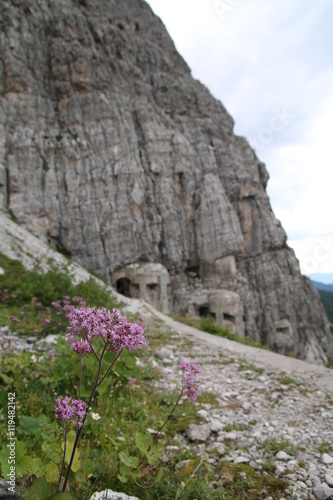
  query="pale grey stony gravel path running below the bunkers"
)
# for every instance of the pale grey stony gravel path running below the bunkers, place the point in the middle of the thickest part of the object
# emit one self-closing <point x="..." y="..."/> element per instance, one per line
<point x="271" y="411"/>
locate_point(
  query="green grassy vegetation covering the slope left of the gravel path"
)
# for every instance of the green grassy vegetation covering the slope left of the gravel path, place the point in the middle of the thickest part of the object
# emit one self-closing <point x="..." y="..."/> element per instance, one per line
<point x="125" y="407"/>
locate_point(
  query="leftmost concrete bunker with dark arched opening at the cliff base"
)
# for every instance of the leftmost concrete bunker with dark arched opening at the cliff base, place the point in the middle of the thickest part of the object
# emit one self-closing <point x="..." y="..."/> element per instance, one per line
<point x="146" y="281"/>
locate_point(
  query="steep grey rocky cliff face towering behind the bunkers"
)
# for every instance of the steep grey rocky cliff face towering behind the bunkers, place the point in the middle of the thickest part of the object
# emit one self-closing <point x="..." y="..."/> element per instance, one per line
<point x="115" y="153"/>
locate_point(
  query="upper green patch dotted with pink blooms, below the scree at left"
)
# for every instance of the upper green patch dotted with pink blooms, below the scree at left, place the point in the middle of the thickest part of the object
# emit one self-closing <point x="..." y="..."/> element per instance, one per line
<point x="29" y="296"/>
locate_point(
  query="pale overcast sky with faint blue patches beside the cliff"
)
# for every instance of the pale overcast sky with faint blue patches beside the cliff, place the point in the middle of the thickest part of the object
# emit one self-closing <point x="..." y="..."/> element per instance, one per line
<point x="263" y="60"/>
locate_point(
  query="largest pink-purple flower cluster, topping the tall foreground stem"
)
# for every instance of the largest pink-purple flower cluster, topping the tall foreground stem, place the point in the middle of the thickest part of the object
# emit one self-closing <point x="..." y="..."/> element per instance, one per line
<point x="88" y="323"/>
